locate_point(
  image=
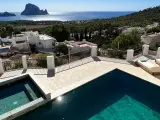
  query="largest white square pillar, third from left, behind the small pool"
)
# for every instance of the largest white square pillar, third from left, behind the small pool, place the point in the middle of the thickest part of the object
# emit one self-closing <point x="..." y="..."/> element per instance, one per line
<point x="50" y="63"/>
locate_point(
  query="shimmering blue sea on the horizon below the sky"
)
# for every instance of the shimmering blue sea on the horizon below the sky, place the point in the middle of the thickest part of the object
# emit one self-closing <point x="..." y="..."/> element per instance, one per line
<point x="67" y="16"/>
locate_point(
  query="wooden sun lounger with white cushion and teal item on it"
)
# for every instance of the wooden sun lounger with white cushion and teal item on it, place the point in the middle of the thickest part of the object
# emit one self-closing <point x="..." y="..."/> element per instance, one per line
<point x="149" y="66"/>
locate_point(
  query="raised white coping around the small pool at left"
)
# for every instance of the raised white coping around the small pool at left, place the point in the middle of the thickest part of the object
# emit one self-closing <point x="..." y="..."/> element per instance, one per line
<point x="29" y="106"/>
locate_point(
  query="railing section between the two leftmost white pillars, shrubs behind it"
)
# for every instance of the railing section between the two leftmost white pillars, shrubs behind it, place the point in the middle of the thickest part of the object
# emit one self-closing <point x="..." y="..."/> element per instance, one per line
<point x="11" y="65"/>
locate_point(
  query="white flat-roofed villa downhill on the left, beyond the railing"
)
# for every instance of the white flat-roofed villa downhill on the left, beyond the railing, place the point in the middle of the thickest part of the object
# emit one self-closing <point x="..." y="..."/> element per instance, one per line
<point x="40" y="41"/>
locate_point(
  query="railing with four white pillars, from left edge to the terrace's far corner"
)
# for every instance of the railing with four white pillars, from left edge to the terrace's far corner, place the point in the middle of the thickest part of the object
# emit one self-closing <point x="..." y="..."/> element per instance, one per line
<point x="49" y="63"/>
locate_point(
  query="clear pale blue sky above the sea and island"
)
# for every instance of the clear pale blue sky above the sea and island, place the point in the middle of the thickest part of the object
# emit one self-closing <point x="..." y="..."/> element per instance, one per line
<point x="79" y="5"/>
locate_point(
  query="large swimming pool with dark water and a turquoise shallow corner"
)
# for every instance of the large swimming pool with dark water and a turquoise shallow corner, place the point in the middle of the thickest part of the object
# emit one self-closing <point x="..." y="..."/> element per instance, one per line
<point x="114" y="96"/>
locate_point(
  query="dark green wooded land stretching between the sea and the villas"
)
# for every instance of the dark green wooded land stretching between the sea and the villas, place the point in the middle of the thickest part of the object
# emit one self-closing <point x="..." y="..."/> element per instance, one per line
<point x="106" y="33"/>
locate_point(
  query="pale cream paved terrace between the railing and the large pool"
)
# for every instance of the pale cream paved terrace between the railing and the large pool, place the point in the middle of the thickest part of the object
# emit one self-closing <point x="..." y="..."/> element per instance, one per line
<point x="70" y="79"/>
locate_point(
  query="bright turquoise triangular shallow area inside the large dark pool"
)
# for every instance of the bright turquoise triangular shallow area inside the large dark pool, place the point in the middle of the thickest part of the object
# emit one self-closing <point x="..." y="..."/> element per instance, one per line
<point x="127" y="108"/>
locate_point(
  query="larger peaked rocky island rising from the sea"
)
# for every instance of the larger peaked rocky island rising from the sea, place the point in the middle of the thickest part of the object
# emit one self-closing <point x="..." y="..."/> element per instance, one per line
<point x="32" y="9"/>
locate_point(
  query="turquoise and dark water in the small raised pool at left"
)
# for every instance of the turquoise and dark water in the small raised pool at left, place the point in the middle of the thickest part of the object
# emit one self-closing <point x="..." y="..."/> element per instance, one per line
<point x="17" y="94"/>
